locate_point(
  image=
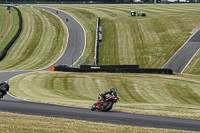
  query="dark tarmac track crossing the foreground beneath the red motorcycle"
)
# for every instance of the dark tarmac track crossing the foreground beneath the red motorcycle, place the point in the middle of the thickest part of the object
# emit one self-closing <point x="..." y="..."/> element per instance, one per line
<point x="51" y="110"/>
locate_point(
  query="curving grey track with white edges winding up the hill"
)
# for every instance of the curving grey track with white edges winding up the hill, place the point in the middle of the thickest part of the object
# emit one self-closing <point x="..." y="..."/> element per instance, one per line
<point x="76" y="38"/>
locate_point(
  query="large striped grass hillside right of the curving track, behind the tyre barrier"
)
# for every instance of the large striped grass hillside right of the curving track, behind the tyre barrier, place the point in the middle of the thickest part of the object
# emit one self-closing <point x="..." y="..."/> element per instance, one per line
<point x="147" y="41"/>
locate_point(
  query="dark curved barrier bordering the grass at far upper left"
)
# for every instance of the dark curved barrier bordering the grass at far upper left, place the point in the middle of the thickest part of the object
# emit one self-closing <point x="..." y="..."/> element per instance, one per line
<point x="3" y="54"/>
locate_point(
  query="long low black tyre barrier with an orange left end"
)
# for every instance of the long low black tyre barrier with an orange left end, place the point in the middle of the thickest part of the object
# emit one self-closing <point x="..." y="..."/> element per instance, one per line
<point x="111" y="69"/>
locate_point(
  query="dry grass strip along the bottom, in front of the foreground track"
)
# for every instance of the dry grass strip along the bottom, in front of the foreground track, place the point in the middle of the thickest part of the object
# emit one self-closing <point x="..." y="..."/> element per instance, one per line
<point x="15" y="123"/>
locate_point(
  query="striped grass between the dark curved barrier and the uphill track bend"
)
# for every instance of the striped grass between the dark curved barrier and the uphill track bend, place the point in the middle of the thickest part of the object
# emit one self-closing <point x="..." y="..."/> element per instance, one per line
<point x="41" y="42"/>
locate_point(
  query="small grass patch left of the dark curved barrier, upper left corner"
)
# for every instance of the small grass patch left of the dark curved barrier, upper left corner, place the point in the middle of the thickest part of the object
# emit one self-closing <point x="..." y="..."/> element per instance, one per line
<point x="5" y="22"/>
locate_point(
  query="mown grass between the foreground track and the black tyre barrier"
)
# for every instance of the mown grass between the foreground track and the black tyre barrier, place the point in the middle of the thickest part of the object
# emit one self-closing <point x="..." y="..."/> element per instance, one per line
<point x="165" y="95"/>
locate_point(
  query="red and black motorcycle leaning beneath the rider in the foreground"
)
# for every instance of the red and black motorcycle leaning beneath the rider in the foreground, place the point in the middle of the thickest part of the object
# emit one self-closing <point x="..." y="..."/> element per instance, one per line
<point x="106" y="105"/>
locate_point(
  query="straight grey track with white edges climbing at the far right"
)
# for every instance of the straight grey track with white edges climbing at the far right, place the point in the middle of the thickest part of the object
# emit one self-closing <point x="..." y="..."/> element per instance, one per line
<point x="184" y="55"/>
